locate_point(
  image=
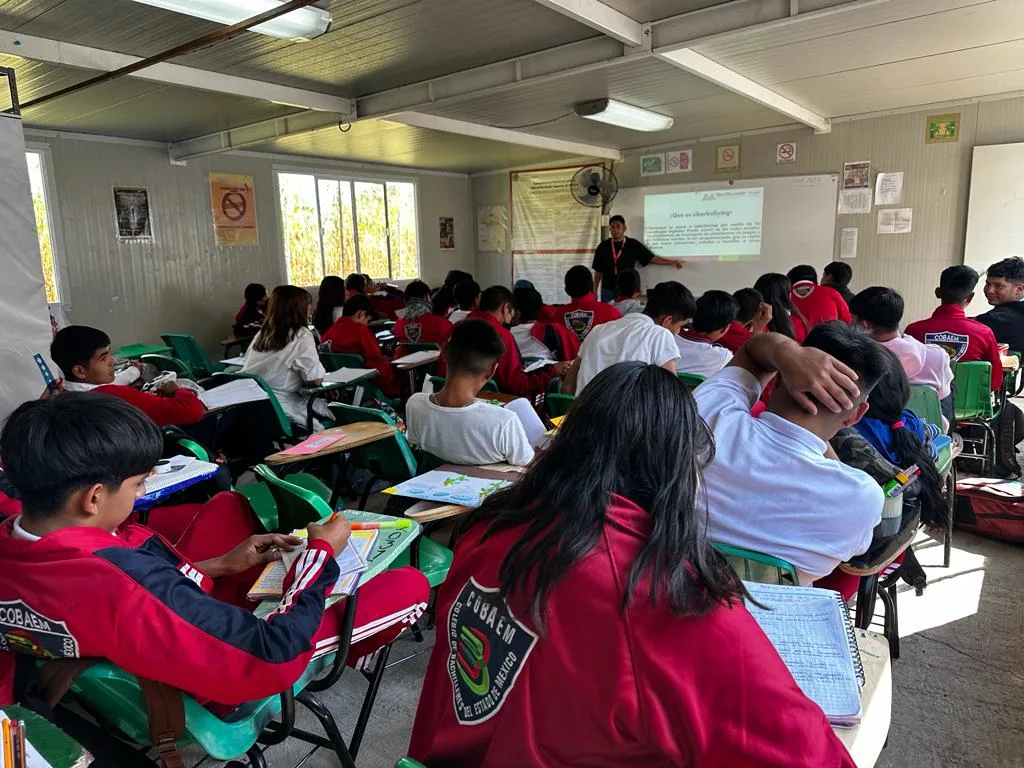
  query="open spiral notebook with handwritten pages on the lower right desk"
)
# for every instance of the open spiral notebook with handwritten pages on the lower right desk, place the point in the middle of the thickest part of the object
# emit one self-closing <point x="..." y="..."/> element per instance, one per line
<point x="813" y="632"/>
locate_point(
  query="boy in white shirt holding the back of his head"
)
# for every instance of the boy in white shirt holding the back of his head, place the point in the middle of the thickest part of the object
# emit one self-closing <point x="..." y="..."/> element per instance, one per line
<point x="775" y="486"/>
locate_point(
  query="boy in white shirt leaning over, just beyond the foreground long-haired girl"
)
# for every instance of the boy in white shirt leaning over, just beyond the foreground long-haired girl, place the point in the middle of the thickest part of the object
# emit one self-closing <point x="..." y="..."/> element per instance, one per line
<point x="649" y="337"/>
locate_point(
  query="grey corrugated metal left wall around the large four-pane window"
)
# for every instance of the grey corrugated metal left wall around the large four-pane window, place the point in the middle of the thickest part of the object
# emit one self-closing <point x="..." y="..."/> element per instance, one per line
<point x="184" y="281"/>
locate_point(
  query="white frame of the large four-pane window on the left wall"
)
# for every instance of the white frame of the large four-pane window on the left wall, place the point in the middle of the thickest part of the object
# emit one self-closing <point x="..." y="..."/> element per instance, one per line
<point x="352" y="178"/>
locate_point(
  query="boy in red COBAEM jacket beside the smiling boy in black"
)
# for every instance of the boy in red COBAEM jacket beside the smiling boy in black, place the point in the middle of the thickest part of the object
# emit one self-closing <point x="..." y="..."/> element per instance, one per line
<point x="966" y="340"/>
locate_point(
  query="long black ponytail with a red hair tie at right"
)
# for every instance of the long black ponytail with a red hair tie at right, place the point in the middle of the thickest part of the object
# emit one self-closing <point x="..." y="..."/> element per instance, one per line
<point x="886" y="404"/>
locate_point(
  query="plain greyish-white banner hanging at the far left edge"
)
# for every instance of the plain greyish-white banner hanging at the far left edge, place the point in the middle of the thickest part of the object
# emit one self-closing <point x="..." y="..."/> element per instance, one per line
<point x="26" y="327"/>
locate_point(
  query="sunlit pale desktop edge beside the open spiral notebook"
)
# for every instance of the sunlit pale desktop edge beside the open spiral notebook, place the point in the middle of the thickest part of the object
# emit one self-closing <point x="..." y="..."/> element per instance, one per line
<point x="865" y="742"/>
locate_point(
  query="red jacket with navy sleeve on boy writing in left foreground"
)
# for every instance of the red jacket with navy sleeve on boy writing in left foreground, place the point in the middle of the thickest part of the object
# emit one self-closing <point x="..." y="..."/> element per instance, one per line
<point x="136" y="601"/>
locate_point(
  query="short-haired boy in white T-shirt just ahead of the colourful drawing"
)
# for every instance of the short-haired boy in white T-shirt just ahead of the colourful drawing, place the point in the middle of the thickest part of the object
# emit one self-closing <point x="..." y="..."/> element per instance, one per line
<point x="453" y="424"/>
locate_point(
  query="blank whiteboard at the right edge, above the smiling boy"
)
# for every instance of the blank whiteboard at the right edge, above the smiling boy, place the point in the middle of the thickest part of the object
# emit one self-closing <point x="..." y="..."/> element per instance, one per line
<point x="996" y="211"/>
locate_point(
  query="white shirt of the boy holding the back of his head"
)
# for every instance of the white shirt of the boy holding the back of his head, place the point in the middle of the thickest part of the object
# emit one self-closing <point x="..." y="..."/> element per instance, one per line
<point x="771" y="488"/>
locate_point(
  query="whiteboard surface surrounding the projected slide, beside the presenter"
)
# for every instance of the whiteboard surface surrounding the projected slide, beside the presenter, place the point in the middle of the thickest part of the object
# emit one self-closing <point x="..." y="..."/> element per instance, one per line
<point x="799" y="228"/>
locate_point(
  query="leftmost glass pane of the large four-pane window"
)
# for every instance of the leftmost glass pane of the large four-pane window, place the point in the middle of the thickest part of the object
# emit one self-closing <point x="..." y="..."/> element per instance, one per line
<point x="302" y="231"/>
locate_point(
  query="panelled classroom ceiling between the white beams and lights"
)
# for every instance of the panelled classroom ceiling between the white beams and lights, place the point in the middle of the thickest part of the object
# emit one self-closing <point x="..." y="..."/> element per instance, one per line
<point x="518" y="65"/>
